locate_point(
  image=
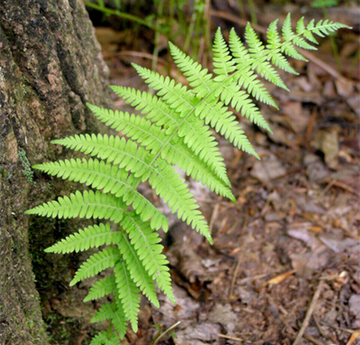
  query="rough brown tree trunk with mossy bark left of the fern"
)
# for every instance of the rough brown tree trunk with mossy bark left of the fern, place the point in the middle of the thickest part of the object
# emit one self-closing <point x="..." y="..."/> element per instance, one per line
<point x="50" y="66"/>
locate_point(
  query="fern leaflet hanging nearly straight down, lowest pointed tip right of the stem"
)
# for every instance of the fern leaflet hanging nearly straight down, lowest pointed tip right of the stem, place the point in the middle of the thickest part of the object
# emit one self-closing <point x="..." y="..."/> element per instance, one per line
<point x="128" y="294"/>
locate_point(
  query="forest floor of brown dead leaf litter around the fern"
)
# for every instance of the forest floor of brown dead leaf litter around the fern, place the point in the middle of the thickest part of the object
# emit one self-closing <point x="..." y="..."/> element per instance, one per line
<point x="285" y="264"/>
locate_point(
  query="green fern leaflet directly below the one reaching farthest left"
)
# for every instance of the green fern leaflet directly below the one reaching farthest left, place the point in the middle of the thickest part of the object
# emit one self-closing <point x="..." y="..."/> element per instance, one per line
<point x="92" y="236"/>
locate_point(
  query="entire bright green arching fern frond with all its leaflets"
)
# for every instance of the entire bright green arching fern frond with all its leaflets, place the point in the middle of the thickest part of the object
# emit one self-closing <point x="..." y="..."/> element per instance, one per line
<point x="175" y="127"/>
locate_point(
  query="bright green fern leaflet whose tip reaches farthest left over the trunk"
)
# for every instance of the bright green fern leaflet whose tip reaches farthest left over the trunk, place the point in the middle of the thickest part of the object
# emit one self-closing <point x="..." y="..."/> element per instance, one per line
<point x="88" y="204"/>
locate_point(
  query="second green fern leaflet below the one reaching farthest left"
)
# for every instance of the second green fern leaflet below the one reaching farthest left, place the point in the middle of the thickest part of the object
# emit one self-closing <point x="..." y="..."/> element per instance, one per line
<point x="96" y="263"/>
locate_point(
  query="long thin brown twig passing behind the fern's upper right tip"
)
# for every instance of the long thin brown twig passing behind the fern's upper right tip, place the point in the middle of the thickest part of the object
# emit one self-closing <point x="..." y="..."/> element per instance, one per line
<point x="309" y="56"/>
